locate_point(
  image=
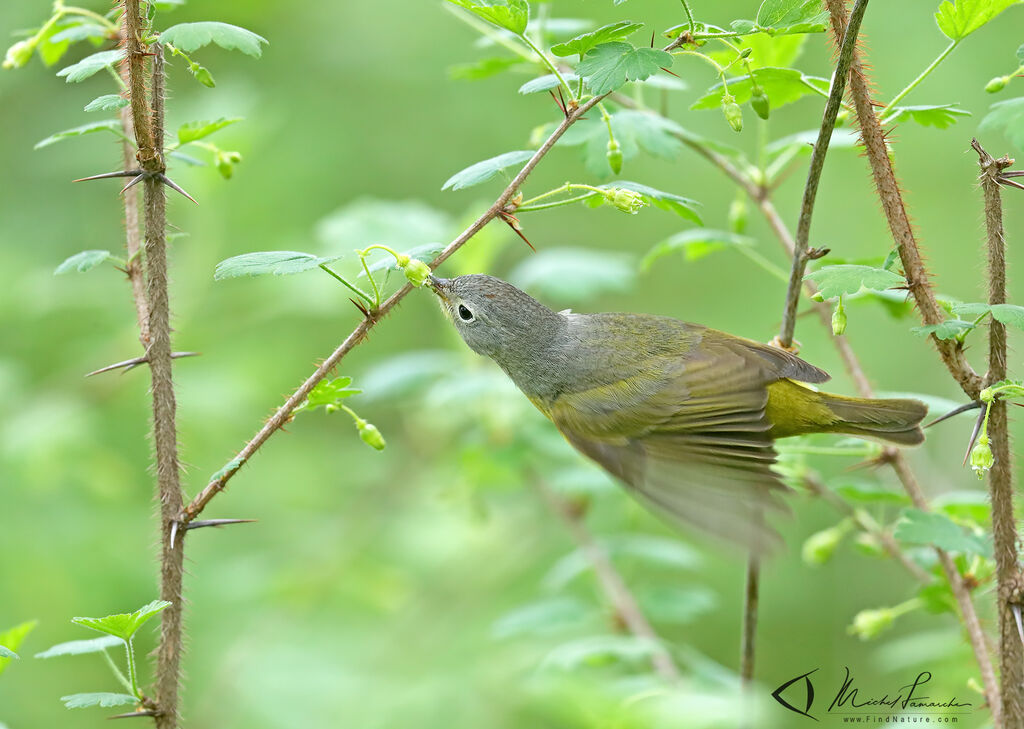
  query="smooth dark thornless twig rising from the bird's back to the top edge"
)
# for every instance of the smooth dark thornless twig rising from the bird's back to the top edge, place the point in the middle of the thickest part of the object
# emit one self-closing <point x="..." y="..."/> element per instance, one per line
<point x="800" y="256"/>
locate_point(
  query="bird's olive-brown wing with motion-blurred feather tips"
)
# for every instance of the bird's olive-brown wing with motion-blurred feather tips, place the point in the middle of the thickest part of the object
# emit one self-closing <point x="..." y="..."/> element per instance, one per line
<point x="690" y="436"/>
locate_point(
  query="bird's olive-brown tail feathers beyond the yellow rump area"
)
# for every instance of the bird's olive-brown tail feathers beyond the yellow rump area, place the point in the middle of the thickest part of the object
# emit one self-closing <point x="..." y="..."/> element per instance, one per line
<point x="895" y="421"/>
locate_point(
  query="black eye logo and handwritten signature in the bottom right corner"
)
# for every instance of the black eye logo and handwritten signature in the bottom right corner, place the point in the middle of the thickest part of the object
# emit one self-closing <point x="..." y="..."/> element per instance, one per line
<point x="851" y="700"/>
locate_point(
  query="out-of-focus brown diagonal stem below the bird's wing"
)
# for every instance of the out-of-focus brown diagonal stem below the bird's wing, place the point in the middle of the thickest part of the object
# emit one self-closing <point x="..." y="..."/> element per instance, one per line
<point x="612" y="582"/>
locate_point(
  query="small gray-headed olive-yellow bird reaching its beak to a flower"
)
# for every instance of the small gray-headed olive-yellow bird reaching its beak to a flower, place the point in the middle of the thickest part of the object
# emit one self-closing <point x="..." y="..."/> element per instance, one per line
<point x="684" y="415"/>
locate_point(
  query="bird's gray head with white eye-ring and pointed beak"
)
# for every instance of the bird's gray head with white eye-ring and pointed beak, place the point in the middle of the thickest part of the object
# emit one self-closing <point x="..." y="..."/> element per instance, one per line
<point x="497" y="320"/>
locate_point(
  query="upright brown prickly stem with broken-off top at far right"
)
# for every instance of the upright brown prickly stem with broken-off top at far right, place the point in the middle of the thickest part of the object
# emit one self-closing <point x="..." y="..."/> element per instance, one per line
<point x="1001" y="483"/>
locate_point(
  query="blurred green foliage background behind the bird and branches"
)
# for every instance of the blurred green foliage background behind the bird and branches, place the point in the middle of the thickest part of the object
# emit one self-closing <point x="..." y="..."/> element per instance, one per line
<point x="377" y="588"/>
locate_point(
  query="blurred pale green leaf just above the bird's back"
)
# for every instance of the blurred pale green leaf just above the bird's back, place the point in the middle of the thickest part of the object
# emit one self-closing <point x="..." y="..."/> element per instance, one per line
<point x="574" y="275"/>
